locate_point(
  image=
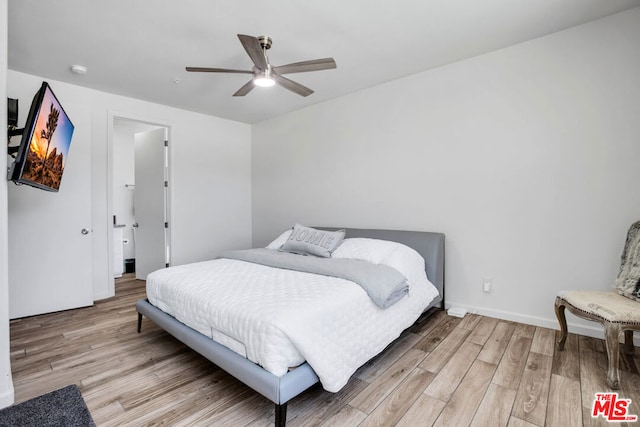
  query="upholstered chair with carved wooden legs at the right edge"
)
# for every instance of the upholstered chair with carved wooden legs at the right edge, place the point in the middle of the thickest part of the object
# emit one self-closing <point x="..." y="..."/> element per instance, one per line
<point x="617" y="310"/>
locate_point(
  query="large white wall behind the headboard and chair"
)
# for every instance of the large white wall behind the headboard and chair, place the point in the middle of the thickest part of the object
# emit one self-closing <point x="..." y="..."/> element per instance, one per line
<point x="527" y="158"/>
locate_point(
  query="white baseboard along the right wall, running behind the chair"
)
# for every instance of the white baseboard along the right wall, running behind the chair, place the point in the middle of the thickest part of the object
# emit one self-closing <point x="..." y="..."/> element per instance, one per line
<point x="594" y="330"/>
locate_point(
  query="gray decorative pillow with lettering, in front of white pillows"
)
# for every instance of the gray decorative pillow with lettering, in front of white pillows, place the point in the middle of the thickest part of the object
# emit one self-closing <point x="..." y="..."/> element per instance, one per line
<point x="309" y="241"/>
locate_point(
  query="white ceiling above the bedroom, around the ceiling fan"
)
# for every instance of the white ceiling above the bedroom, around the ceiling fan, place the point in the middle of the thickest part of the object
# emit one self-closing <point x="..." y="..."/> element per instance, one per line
<point x="137" y="48"/>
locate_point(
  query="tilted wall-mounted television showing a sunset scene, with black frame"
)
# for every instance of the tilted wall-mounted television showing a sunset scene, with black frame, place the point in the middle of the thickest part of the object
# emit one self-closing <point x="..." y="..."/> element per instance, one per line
<point x="42" y="154"/>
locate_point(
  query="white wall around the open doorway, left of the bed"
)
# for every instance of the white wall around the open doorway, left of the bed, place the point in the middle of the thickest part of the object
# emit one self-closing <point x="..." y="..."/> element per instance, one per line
<point x="210" y="181"/>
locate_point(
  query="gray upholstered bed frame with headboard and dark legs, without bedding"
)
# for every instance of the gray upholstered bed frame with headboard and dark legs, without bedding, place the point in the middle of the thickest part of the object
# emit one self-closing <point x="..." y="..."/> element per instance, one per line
<point x="282" y="389"/>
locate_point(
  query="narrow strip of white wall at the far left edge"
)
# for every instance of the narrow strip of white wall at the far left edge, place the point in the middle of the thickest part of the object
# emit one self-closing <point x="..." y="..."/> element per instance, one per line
<point x="6" y="384"/>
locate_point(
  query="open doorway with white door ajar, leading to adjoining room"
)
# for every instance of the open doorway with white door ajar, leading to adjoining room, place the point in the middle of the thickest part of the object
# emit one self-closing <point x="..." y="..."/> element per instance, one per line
<point x="139" y="208"/>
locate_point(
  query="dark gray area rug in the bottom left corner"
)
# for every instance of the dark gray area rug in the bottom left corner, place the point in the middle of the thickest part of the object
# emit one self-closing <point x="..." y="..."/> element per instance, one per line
<point x="64" y="407"/>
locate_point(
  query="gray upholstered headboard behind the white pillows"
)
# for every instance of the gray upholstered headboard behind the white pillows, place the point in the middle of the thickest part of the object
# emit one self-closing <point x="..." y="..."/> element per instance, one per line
<point x="428" y="244"/>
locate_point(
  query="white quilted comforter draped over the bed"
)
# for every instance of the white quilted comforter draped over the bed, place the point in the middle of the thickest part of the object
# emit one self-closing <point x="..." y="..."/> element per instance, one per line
<point x="280" y="318"/>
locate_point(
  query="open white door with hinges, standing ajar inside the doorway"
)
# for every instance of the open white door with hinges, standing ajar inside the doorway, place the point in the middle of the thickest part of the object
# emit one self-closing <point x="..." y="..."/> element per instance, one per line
<point x="149" y="202"/>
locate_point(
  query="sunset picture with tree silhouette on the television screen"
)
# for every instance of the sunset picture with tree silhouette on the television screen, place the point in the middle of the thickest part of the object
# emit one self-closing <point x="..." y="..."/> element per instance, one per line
<point x="49" y="145"/>
